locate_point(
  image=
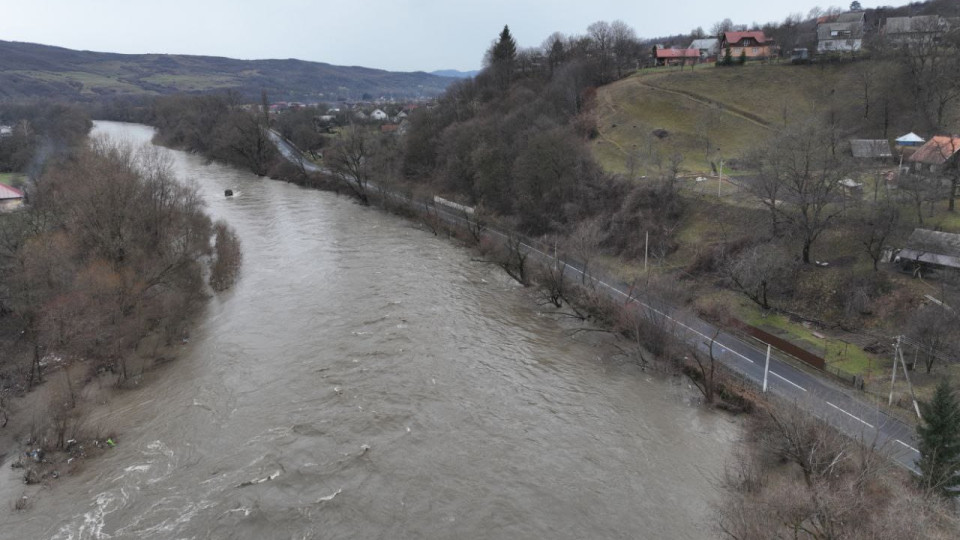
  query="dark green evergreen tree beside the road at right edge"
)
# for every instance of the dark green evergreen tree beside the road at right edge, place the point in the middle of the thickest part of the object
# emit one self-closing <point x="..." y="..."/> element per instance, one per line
<point x="939" y="441"/>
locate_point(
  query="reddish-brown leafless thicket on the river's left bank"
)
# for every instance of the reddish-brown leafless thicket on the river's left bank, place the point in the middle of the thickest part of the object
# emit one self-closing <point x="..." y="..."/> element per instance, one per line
<point x="109" y="250"/>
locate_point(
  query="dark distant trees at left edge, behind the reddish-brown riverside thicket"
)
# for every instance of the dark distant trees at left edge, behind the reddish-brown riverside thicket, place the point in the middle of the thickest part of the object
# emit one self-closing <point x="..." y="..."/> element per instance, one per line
<point x="39" y="130"/>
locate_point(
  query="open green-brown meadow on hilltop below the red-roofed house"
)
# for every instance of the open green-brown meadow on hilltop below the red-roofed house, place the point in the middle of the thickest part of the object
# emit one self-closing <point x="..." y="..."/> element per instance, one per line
<point x="712" y="113"/>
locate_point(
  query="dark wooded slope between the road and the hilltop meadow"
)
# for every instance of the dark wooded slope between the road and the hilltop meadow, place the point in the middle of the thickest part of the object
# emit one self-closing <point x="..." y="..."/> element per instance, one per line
<point x="513" y="141"/>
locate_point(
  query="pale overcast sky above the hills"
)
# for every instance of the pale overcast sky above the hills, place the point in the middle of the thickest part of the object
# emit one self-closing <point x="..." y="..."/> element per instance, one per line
<point x="398" y="35"/>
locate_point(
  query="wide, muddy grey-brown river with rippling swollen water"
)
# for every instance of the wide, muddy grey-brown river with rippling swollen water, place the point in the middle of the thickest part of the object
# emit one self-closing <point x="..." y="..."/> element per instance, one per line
<point x="366" y="379"/>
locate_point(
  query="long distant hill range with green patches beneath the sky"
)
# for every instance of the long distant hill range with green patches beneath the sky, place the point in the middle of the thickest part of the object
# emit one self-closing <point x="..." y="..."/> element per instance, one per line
<point x="29" y="70"/>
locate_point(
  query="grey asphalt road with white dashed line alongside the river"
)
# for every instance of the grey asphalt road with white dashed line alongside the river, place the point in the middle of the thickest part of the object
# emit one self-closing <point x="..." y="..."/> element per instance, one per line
<point x="849" y="411"/>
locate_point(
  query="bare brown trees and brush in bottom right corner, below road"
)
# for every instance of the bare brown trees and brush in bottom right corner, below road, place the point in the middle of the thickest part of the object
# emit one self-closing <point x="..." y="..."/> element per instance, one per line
<point x="800" y="478"/>
